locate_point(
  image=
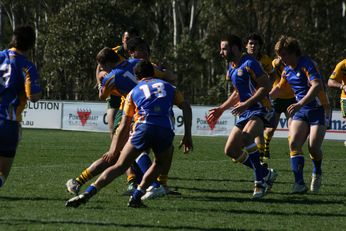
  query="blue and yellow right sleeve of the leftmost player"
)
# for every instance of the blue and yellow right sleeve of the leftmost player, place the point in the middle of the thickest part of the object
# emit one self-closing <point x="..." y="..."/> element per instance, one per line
<point x="32" y="84"/>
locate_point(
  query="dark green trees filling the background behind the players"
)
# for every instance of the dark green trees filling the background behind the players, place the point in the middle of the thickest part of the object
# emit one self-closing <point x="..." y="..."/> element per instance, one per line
<point x="183" y="35"/>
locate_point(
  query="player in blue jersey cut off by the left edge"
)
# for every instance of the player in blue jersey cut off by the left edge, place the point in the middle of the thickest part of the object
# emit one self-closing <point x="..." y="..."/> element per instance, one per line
<point x="19" y="82"/>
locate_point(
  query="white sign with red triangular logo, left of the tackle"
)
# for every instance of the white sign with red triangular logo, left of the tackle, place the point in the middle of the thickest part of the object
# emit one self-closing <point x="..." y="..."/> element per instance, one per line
<point x="84" y="116"/>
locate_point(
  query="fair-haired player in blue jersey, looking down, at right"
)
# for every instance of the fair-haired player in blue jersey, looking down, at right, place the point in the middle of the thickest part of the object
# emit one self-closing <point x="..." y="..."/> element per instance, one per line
<point x="310" y="114"/>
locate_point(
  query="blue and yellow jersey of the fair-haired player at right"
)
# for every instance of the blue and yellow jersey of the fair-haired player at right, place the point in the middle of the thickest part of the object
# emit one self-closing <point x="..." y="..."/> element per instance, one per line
<point x="299" y="79"/>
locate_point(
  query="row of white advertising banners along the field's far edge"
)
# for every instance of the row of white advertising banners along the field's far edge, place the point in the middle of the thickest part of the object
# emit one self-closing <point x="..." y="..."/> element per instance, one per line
<point x="91" y="116"/>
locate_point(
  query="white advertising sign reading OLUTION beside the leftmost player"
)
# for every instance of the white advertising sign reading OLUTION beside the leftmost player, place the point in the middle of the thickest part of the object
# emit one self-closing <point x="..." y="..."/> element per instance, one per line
<point x="42" y="114"/>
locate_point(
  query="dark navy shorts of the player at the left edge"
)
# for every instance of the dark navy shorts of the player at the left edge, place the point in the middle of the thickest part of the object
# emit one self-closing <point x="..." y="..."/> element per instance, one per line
<point x="9" y="137"/>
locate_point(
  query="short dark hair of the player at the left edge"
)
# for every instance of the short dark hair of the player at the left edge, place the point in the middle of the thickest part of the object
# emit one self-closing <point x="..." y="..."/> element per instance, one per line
<point x="23" y="38"/>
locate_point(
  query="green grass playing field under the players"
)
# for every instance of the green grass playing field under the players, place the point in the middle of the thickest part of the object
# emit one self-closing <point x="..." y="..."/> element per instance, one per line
<point x="216" y="194"/>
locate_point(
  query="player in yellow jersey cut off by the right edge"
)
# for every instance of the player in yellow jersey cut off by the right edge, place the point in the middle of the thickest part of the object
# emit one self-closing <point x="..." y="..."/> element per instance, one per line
<point x="338" y="80"/>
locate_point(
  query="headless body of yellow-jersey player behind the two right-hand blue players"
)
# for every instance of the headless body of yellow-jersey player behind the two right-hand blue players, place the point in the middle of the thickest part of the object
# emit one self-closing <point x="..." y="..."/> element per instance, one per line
<point x="280" y="105"/>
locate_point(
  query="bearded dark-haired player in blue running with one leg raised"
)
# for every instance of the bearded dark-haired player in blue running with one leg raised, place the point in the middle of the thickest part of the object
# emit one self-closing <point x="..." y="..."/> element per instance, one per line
<point x="251" y="103"/>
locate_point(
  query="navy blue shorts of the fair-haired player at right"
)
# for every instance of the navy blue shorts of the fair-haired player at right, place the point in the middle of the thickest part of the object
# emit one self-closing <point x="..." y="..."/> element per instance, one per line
<point x="313" y="116"/>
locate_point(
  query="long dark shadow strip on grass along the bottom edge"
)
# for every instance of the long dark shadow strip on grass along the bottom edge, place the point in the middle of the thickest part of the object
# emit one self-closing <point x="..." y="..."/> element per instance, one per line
<point x="14" y="221"/>
